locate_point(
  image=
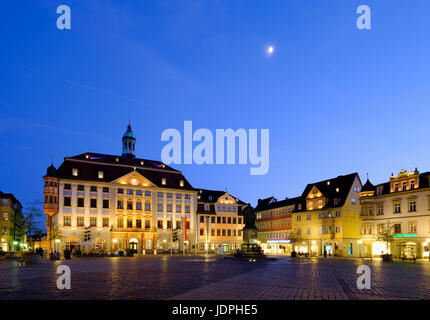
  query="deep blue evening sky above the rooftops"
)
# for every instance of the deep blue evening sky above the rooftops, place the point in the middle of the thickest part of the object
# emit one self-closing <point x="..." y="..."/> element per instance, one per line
<point x="336" y="99"/>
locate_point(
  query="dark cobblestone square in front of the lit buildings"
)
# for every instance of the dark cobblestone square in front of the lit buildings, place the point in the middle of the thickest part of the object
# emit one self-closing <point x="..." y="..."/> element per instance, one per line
<point x="214" y="277"/>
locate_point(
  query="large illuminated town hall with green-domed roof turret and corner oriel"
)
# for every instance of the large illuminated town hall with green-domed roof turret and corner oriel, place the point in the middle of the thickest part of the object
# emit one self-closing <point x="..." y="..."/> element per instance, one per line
<point x="113" y="203"/>
